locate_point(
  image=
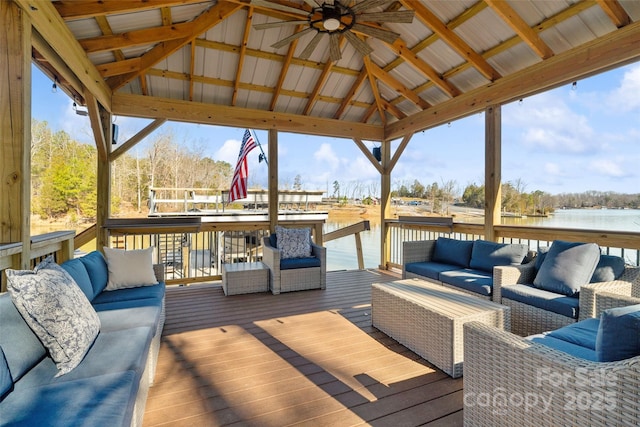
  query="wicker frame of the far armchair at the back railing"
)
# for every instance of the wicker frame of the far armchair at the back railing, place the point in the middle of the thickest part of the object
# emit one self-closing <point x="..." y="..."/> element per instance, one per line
<point x="294" y="279"/>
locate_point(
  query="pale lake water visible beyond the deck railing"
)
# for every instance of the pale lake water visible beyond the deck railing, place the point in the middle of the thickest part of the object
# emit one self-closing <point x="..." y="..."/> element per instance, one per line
<point x="341" y="253"/>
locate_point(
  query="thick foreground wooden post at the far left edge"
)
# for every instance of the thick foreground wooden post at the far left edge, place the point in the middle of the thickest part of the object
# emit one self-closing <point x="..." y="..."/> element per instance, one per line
<point x="15" y="129"/>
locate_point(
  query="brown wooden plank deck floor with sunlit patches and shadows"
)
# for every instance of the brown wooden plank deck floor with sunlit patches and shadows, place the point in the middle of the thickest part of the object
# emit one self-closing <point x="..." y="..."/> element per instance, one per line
<point x="302" y="358"/>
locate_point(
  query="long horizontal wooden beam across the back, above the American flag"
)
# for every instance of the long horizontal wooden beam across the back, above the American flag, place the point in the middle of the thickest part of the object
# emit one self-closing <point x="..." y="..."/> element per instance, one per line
<point x="195" y="112"/>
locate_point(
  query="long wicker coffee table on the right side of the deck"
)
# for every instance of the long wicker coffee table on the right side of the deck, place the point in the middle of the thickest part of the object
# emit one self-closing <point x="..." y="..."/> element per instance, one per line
<point x="428" y="319"/>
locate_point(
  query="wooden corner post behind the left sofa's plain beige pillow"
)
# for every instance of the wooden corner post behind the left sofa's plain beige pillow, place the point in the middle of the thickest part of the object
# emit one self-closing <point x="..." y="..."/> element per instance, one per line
<point x="103" y="211"/>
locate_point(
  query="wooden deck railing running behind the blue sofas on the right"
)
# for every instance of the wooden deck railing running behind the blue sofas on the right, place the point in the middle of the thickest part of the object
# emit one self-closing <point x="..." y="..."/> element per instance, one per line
<point x="624" y="244"/>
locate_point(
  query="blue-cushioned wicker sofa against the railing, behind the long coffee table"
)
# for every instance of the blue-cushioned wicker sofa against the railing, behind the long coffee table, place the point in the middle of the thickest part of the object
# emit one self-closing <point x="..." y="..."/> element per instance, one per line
<point x="466" y="265"/>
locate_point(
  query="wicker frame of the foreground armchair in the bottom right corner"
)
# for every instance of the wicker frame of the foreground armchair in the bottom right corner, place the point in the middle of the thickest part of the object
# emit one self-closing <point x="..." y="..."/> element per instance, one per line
<point x="509" y="381"/>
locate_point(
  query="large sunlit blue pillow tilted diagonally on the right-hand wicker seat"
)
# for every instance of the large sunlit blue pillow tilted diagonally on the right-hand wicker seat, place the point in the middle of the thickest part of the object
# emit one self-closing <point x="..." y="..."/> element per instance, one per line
<point x="567" y="266"/>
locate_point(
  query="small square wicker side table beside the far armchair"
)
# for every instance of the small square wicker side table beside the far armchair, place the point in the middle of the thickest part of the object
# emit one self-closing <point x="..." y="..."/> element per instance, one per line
<point x="245" y="278"/>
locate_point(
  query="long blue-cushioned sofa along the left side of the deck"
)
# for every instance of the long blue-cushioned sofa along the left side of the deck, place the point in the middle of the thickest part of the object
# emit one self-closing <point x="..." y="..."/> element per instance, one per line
<point x="109" y="386"/>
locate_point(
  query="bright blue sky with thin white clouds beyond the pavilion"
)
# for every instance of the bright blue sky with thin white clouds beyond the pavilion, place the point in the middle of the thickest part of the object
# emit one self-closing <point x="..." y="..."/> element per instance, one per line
<point x="576" y="138"/>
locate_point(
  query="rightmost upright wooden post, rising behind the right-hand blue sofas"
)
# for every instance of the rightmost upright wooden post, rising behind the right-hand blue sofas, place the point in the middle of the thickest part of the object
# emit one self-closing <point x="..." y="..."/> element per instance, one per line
<point x="492" y="170"/>
